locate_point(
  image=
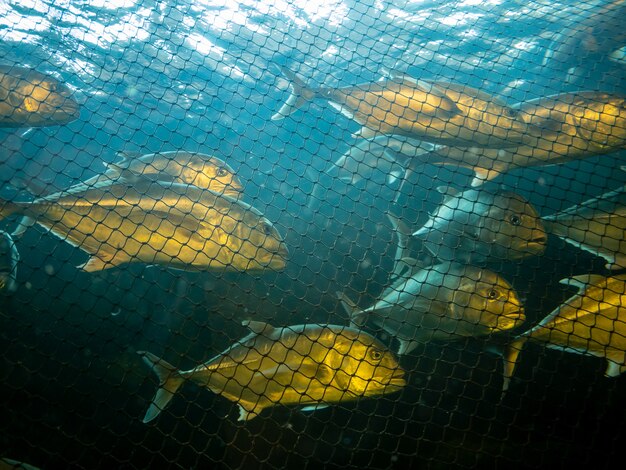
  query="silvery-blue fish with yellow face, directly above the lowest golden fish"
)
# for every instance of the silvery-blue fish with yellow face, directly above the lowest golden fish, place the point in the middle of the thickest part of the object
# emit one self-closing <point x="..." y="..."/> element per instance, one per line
<point x="444" y="302"/>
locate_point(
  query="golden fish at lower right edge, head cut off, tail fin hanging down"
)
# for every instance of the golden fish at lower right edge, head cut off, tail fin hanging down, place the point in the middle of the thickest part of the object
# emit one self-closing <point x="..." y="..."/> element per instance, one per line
<point x="592" y="322"/>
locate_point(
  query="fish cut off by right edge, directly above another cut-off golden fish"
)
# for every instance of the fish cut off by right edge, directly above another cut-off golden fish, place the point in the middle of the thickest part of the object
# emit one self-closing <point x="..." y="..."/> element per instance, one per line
<point x="598" y="226"/>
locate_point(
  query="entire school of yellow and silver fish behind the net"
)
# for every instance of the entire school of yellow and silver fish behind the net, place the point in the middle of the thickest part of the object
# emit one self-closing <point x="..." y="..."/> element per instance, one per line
<point x="186" y="211"/>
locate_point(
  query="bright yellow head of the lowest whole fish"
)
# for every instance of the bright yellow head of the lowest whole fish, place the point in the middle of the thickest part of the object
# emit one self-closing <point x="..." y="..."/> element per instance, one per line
<point x="363" y="365"/>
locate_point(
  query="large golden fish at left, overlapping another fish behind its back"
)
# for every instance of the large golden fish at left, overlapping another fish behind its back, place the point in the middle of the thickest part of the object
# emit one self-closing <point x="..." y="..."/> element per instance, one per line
<point x="175" y="225"/>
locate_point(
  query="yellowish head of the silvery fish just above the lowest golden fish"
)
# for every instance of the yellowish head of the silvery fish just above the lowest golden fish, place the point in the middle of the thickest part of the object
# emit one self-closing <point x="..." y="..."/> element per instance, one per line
<point x="485" y="303"/>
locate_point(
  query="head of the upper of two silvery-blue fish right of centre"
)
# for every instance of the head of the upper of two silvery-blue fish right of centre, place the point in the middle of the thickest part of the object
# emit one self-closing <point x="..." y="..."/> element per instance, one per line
<point x="512" y="228"/>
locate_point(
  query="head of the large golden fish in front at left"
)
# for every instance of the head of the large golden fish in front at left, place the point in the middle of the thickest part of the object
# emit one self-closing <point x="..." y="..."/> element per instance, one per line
<point x="255" y="242"/>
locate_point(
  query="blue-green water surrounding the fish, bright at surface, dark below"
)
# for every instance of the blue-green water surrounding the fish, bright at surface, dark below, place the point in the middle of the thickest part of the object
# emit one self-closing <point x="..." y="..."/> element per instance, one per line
<point x="205" y="76"/>
